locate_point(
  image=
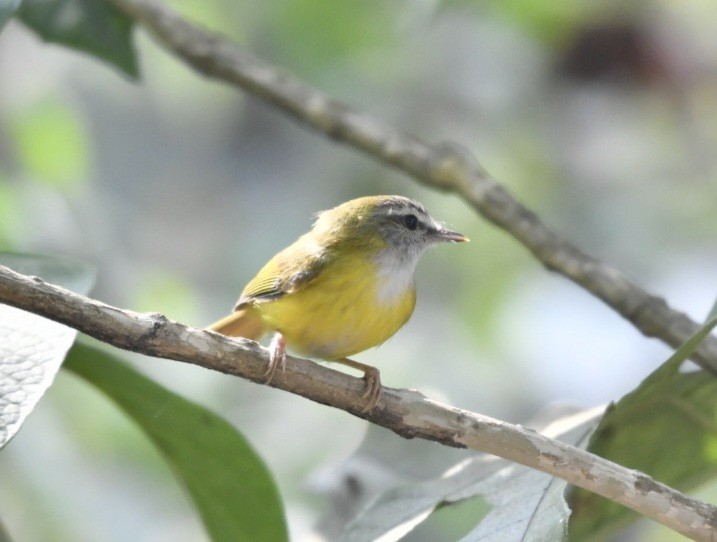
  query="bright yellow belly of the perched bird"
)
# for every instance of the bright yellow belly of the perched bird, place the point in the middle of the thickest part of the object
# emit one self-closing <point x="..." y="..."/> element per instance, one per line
<point x="340" y="313"/>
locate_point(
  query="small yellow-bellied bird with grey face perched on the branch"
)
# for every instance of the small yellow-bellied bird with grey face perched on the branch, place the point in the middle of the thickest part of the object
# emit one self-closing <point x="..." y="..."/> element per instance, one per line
<point x="344" y="287"/>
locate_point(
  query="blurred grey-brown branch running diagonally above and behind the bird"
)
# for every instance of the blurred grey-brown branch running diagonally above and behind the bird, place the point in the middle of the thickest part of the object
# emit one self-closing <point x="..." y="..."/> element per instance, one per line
<point x="445" y="166"/>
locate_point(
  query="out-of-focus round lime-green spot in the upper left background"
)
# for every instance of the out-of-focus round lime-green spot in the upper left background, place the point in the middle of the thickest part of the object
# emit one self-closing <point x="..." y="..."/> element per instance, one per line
<point x="52" y="144"/>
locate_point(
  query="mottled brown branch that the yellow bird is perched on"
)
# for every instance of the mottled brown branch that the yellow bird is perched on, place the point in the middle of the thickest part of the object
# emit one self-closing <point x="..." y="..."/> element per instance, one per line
<point x="408" y="413"/>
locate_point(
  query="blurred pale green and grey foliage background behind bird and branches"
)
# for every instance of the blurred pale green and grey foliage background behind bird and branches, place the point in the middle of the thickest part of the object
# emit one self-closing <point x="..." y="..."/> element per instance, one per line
<point x="599" y="115"/>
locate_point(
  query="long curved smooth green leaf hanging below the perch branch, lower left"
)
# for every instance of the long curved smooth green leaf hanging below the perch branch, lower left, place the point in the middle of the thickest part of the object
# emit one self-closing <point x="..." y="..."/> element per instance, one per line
<point x="229" y="483"/>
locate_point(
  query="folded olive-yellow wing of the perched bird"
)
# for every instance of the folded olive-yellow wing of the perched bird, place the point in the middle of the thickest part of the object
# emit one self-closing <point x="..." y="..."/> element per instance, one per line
<point x="289" y="271"/>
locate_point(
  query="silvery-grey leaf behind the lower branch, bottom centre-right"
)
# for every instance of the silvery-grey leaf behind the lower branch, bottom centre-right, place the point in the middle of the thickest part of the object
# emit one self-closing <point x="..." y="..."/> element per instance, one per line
<point x="527" y="505"/>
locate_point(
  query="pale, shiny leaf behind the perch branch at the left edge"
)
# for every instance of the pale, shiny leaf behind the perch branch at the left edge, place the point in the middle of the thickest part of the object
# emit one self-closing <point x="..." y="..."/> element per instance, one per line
<point x="33" y="347"/>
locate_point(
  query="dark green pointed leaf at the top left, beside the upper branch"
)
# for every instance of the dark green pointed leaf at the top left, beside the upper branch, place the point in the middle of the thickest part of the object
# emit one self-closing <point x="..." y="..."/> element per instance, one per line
<point x="91" y="26"/>
